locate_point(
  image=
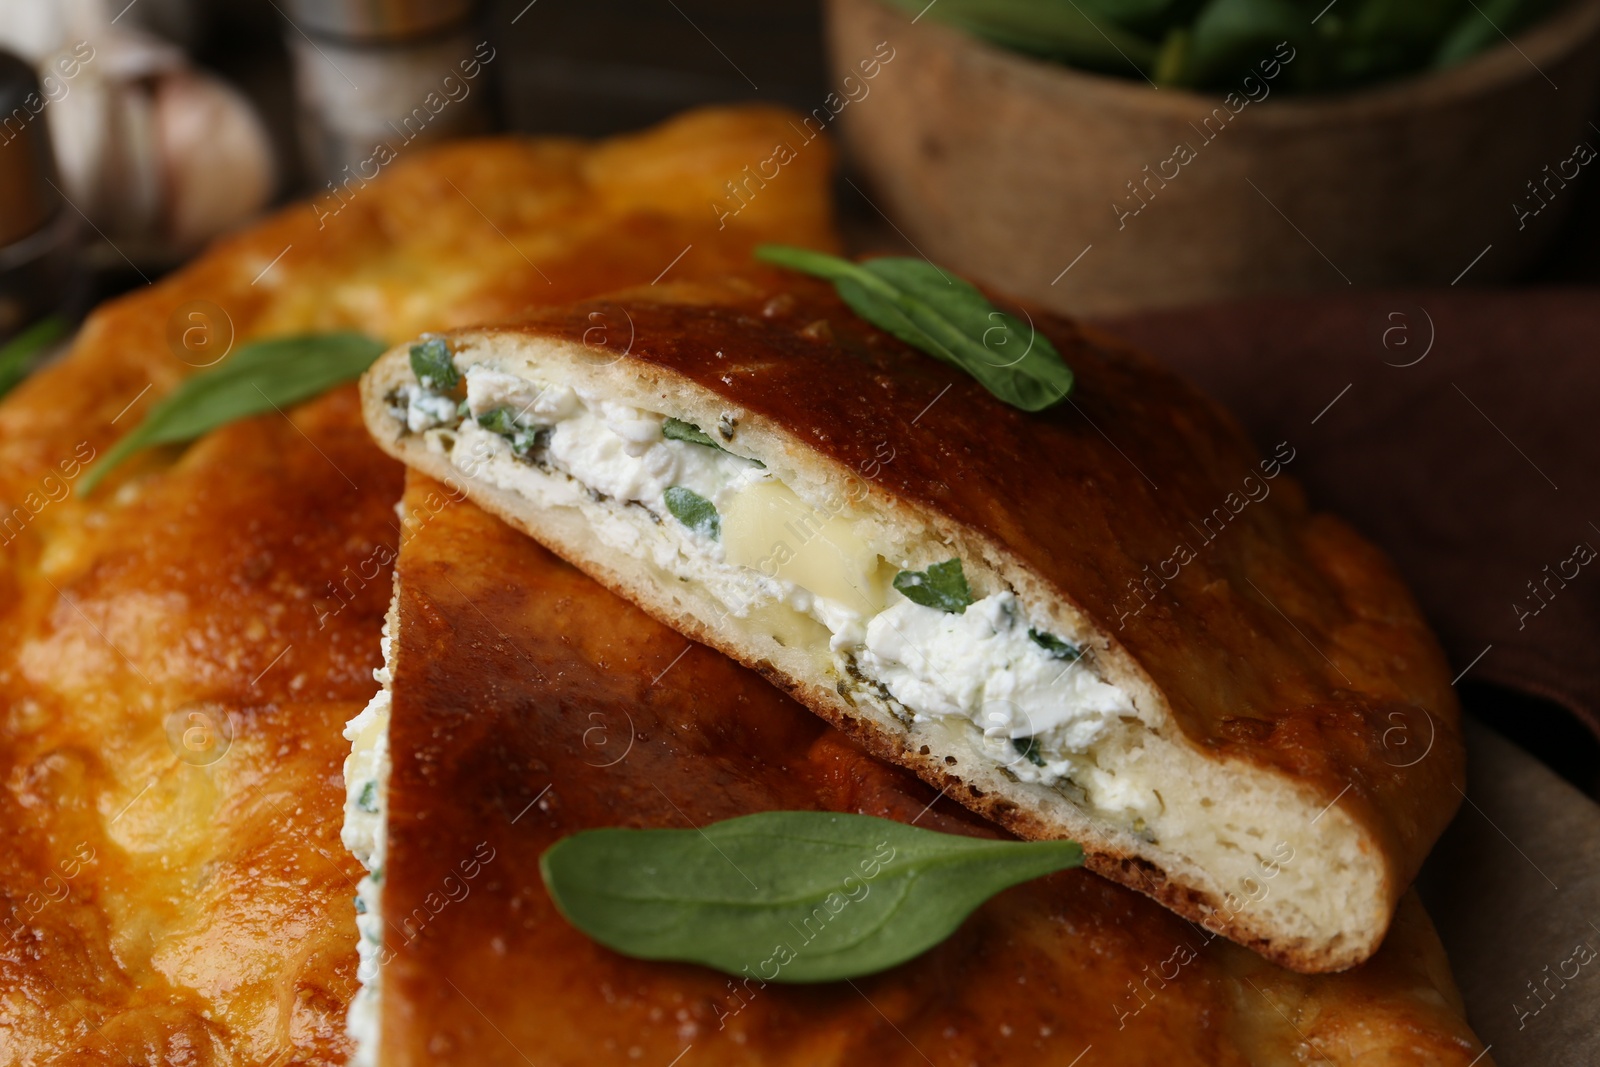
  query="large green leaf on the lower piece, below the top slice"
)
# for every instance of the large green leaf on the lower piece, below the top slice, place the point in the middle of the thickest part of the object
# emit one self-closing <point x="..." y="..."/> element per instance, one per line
<point x="786" y="897"/>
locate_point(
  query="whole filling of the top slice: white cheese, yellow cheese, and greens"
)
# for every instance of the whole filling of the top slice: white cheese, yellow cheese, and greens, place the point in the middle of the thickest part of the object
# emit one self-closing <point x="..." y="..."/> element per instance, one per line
<point x="665" y="492"/>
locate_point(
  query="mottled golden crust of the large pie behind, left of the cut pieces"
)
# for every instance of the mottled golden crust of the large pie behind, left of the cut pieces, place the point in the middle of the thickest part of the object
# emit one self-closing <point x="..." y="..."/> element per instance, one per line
<point x="252" y="570"/>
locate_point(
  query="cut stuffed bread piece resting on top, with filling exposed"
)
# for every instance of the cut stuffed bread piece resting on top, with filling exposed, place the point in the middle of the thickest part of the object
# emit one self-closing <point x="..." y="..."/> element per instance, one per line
<point x="1111" y="621"/>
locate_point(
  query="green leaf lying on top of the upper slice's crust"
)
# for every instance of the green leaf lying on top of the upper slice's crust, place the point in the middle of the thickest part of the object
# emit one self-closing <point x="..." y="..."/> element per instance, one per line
<point x="946" y="318"/>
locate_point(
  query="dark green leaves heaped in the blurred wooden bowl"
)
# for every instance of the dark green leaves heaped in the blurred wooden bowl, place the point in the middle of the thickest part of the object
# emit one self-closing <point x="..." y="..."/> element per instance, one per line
<point x="1215" y="44"/>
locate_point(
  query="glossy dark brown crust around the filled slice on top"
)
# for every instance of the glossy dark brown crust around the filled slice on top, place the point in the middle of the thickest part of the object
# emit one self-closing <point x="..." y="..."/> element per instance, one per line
<point x="1282" y="642"/>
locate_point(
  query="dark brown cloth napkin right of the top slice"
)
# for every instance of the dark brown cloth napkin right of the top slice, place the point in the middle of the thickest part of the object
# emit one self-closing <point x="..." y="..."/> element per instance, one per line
<point x="1458" y="430"/>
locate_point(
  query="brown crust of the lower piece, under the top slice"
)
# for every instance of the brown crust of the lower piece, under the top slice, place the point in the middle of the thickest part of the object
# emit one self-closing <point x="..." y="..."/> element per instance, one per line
<point x="530" y="703"/>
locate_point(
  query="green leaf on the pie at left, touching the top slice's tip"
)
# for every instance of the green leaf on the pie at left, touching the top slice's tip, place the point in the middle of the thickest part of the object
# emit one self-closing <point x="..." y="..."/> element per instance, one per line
<point x="257" y="378"/>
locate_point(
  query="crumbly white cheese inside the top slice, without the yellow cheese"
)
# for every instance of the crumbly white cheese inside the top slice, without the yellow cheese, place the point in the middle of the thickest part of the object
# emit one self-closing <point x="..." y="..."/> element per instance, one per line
<point x="1041" y="716"/>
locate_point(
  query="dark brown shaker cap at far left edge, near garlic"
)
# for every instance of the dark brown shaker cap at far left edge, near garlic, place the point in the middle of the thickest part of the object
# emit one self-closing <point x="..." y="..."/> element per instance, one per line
<point x="28" y="164"/>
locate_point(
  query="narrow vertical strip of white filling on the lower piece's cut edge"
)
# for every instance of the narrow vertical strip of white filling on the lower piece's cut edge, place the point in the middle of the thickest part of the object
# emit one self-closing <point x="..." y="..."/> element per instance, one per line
<point x="366" y="825"/>
